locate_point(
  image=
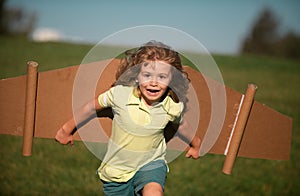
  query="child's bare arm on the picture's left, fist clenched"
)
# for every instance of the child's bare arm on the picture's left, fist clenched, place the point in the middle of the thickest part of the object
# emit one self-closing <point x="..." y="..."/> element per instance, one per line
<point x="65" y="134"/>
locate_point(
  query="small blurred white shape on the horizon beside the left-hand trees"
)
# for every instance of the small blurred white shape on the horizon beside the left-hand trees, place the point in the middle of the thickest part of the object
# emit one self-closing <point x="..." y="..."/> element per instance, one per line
<point x="47" y="34"/>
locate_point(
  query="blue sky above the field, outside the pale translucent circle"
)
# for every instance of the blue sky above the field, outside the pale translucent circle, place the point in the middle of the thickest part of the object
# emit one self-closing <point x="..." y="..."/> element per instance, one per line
<point x="219" y="25"/>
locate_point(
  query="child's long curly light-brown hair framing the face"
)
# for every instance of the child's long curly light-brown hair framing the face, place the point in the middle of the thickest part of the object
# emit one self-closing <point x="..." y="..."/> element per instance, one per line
<point x="154" y="51"/>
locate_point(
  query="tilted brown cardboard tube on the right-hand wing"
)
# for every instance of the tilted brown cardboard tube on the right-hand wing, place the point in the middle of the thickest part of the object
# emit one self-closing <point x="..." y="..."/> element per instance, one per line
<point x="239" y="129"/>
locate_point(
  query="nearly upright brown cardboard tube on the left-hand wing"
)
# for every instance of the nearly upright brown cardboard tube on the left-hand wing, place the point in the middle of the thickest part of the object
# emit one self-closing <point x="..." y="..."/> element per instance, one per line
<point x="31" y="91"/>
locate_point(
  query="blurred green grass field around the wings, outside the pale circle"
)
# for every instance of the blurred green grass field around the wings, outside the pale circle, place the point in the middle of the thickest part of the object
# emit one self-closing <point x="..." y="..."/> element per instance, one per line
<point x="56" y="170"/>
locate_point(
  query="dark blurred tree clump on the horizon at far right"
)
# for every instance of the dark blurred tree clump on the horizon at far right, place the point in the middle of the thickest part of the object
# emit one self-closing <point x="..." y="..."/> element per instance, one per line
<point x="265" y="38"/>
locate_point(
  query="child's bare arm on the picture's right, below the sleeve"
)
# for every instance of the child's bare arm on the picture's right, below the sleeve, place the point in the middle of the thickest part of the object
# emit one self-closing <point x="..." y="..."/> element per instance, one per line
<point x="185" y="133"/>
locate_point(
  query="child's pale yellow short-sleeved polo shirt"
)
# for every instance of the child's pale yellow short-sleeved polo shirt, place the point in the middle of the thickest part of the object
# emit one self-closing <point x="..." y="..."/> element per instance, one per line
<point x="137" y="132"/>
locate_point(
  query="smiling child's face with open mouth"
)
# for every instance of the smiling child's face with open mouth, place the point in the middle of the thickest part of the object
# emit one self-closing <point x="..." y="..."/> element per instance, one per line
<point x="154" y="79"/>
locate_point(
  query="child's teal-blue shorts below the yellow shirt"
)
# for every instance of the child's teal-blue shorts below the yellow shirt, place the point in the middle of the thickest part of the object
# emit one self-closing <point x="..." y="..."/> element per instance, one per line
<point x="155" y="171"/>
